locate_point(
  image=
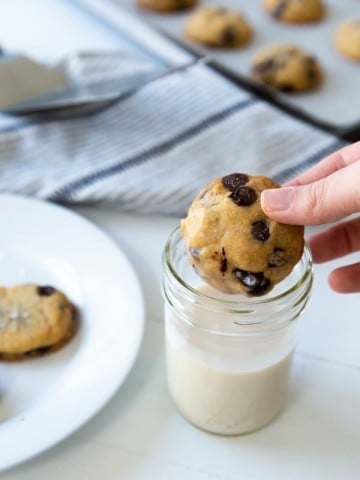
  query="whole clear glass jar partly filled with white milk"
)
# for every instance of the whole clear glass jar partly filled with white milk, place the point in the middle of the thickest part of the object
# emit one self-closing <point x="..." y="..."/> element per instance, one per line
<point x="229" y="356"/>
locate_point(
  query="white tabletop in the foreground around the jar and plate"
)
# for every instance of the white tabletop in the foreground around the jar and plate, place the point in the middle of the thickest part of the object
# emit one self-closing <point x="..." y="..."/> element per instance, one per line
<point x="140" y="435"/>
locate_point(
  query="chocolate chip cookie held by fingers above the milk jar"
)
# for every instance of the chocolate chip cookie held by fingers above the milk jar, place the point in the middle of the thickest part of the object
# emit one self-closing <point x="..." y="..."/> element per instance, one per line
<point x="232" y="244"/>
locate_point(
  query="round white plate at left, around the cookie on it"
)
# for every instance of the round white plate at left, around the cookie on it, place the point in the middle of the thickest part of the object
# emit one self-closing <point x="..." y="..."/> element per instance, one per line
<point x="45" y="399"/>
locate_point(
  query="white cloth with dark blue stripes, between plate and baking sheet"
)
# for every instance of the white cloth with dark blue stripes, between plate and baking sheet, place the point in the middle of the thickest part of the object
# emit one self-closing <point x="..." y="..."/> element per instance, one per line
<point x="154" y="148"/>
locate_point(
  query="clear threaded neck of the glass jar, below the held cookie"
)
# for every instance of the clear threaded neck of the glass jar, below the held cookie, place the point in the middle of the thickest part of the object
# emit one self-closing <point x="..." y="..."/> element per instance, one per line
<point x="209" y="309"/>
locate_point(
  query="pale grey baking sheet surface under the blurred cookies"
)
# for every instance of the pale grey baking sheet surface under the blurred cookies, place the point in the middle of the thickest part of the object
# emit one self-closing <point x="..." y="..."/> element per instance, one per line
<point x="336" y="104"/>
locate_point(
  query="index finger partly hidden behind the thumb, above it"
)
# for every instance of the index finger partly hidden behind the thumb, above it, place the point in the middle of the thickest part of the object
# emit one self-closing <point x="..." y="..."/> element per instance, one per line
<point x="330" y="164"/>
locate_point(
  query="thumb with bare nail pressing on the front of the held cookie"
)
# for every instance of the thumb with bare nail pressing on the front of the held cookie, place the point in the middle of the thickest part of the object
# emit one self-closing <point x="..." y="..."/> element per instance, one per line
<point x="323" y="201"/>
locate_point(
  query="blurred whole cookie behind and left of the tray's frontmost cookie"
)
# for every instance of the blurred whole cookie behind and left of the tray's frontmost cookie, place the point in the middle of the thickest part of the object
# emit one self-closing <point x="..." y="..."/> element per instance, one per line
<point x="218" y="27"/>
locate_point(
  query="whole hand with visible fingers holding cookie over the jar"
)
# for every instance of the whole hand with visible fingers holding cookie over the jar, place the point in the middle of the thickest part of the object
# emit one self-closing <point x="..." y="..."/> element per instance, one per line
<point x="327" y="192"/>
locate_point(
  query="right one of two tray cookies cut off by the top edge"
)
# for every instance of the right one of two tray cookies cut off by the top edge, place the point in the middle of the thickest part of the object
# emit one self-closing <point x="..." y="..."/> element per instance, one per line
<point x="295" y="11"/>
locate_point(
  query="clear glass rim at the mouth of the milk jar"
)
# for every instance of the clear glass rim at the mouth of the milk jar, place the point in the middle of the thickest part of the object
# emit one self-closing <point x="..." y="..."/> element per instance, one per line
<point x="175" y="236"/>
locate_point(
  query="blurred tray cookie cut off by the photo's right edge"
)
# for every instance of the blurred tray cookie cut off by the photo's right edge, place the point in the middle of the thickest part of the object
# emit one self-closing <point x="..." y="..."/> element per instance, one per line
<point x="347" y="38"/>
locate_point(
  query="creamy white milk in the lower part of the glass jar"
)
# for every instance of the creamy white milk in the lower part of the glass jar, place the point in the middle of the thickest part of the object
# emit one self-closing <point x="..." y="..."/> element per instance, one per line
<point x="222" y="390"/>
